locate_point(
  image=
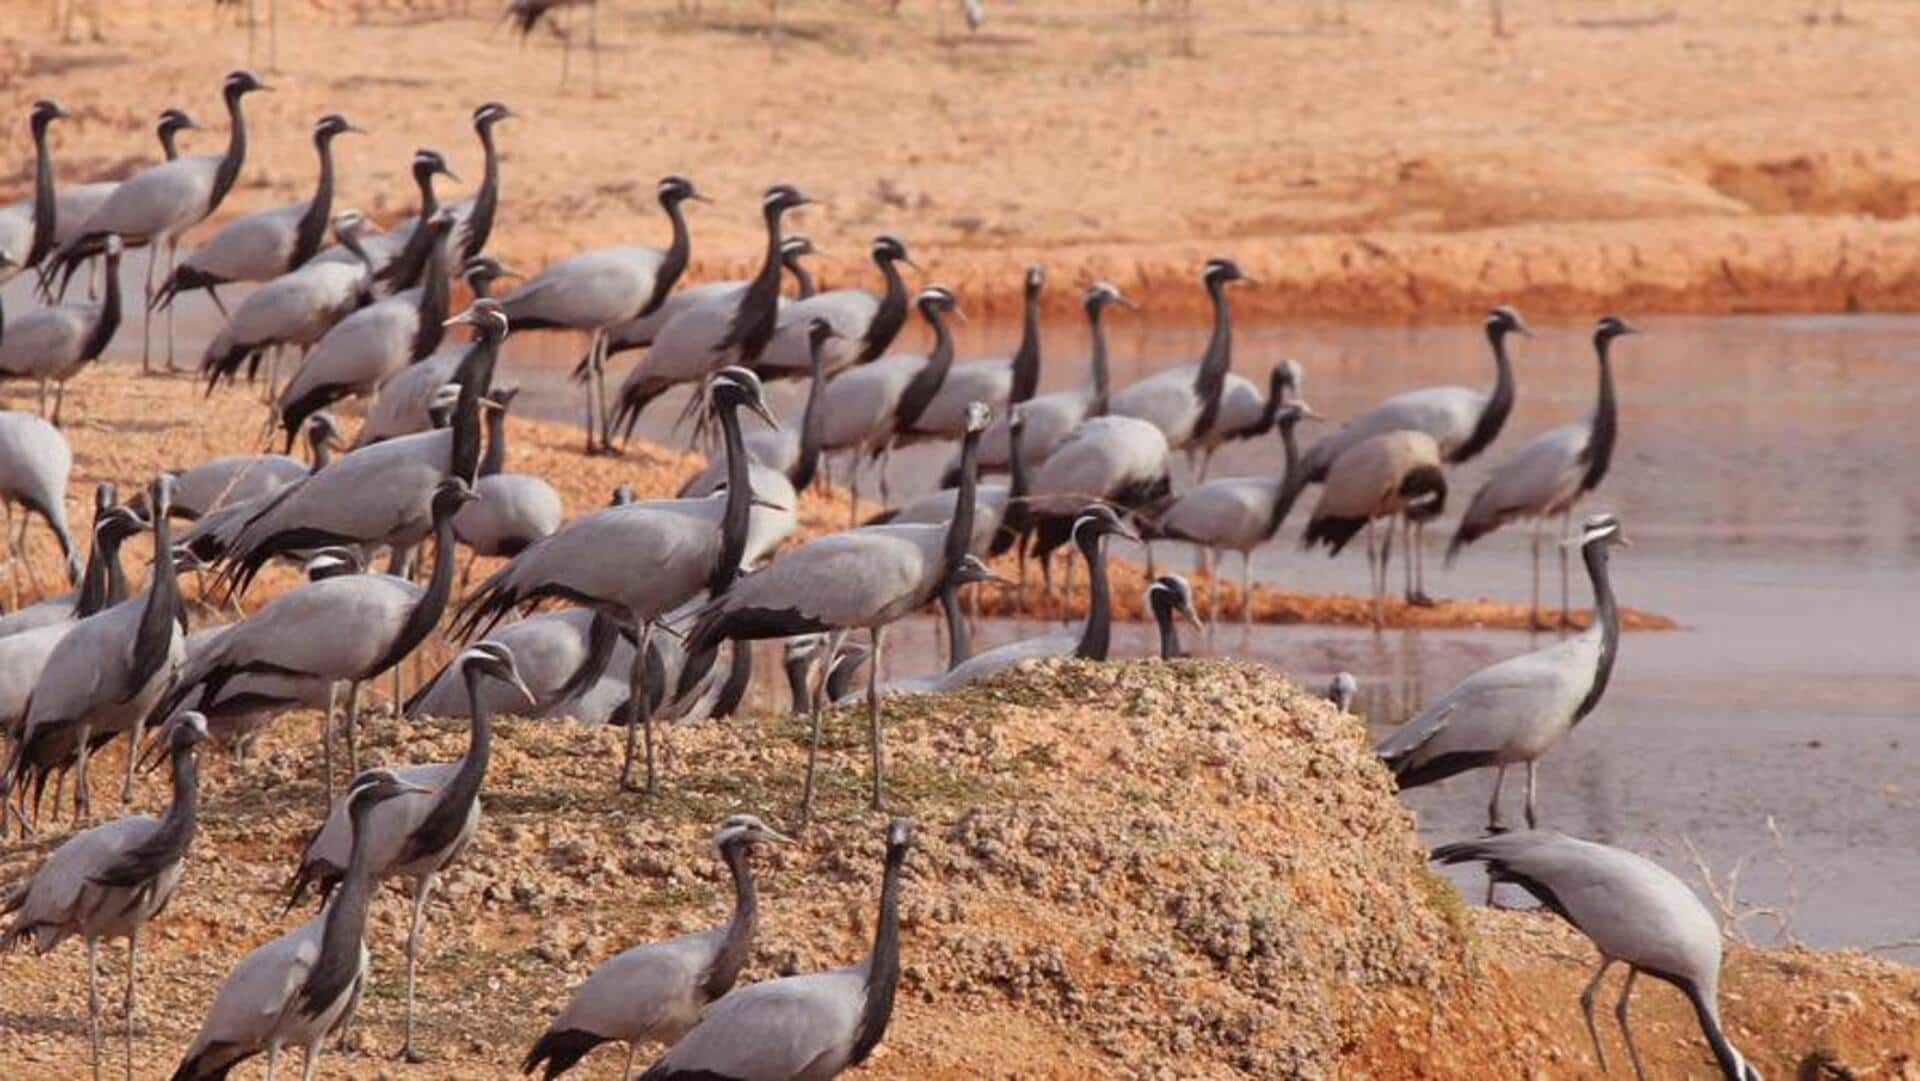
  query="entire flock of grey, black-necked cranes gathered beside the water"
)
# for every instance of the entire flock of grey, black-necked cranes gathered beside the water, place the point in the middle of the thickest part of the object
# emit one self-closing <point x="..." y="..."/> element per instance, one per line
<point x="644" y="612"/>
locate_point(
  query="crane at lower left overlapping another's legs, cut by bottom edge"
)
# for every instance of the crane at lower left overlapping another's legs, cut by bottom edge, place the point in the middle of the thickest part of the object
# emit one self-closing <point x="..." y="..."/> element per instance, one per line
<point x="299" y="988"/>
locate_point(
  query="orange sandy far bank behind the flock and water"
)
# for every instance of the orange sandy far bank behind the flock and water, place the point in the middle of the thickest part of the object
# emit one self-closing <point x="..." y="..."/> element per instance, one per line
<point x="1368" y="160"/>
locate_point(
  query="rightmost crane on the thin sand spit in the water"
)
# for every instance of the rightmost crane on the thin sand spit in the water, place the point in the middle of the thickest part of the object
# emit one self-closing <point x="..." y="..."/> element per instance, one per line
<point x="1550" y="473"/>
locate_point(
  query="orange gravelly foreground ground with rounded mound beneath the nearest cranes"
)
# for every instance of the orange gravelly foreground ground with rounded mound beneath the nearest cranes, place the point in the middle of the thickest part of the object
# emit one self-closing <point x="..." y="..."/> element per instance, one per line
<point x="1126" y="871"/>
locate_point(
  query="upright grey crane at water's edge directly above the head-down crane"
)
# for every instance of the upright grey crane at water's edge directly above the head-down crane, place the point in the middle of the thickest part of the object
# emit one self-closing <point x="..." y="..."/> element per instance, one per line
<point x="1520" y="709"/>
